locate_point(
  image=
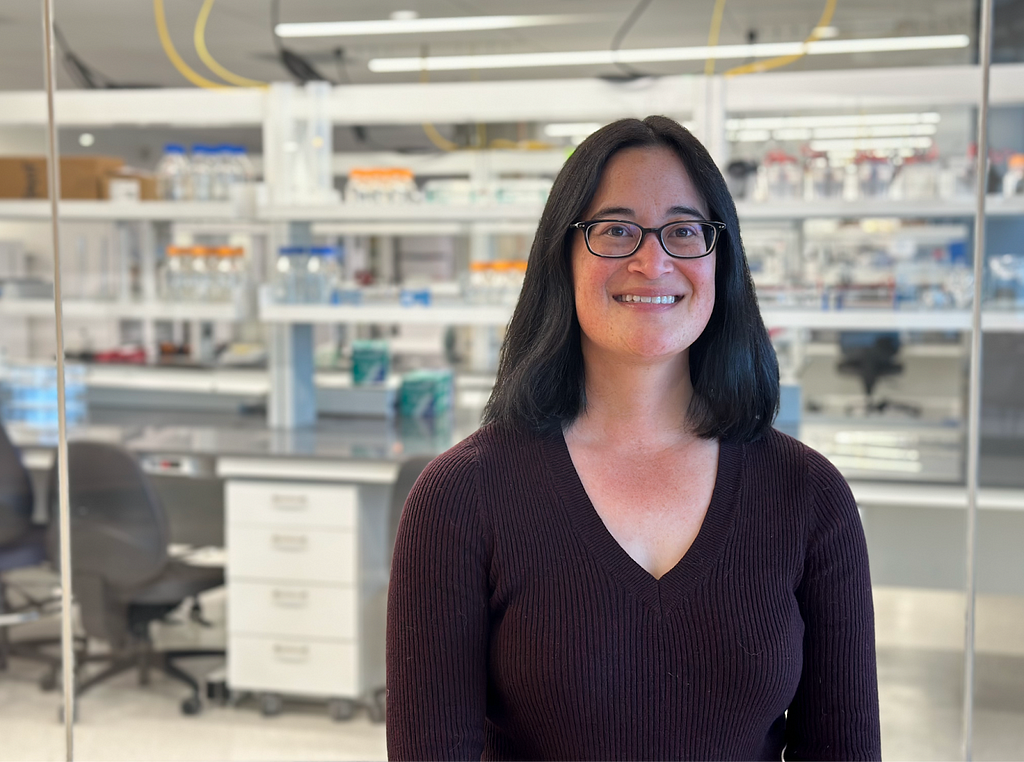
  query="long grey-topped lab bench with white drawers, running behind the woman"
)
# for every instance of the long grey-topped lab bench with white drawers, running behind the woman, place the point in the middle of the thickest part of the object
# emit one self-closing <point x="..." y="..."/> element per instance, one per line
<point x="305" y="515"/>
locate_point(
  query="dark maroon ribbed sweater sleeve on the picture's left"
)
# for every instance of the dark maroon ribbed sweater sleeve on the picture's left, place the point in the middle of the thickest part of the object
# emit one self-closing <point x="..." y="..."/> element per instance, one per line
<point x="438" y="622"/>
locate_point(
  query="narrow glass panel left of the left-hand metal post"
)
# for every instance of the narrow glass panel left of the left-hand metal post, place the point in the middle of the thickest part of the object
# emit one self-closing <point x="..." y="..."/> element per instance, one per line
<point x="30" y="587"/>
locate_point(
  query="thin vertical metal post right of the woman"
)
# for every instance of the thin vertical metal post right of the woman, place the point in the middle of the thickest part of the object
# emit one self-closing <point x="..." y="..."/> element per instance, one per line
<point x="974" y="404"/>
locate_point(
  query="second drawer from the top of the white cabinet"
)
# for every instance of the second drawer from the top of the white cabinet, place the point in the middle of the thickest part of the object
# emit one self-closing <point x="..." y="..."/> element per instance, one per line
<point x="295" y="555"/>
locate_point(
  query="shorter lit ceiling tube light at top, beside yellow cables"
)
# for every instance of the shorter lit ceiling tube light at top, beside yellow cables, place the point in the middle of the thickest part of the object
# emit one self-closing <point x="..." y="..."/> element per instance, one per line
<point x="405" y="26"/>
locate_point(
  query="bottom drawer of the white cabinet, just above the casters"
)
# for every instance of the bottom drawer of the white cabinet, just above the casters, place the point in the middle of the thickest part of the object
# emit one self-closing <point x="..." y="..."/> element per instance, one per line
<point x="293" y="666"/>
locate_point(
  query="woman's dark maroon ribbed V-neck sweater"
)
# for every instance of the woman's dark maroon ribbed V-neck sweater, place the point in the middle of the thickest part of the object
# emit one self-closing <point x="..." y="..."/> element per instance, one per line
<point x="520" y="630"/>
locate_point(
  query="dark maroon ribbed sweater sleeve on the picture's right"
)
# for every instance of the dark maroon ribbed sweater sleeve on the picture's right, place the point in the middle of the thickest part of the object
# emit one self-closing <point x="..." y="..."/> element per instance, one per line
<point x="835" y="713"/>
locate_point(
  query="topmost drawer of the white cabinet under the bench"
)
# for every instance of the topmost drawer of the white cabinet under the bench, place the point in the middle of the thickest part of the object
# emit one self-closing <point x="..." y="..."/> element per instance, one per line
<point x="292" y="504"/>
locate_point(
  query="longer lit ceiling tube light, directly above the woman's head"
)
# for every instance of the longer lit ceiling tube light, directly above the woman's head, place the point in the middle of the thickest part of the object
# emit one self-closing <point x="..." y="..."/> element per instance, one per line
<point x="592" y="58"/>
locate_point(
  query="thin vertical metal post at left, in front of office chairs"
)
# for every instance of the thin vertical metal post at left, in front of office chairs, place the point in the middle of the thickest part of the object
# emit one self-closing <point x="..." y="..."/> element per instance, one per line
<point x="67" y="637"/>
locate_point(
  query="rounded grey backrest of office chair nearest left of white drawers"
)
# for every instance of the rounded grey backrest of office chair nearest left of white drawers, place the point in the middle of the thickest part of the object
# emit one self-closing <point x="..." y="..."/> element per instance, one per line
<point x="119" y="530"/>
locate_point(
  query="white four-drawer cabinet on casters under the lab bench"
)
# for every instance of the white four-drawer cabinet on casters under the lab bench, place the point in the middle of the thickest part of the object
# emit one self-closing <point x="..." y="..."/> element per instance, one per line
<point x="308" y="569"/>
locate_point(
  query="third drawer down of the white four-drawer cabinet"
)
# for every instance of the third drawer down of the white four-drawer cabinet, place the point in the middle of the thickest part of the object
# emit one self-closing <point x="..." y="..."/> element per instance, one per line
<point x="260" y="609"/>
